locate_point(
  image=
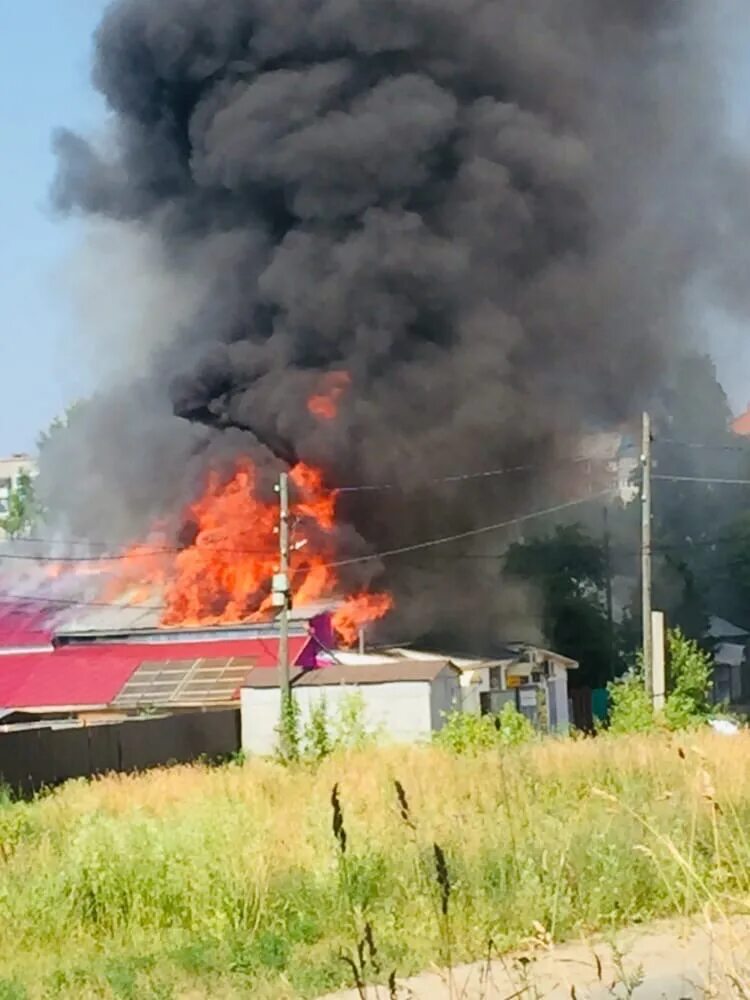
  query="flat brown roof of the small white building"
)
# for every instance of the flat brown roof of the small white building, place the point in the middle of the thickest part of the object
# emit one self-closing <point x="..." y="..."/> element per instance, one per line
<point x="383" y="672"/>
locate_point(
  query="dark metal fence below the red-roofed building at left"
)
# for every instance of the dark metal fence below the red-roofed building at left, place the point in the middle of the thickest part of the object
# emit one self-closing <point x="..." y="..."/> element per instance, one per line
<point x="37" y="757"/>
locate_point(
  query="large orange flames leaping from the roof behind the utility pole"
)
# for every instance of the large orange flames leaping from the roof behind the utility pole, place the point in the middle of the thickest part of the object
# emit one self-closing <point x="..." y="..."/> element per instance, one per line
<point x="224" y="575"/>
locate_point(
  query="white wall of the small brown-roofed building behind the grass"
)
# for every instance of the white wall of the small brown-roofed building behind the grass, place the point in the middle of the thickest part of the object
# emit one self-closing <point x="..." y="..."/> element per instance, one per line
<point x="402" y="711"/>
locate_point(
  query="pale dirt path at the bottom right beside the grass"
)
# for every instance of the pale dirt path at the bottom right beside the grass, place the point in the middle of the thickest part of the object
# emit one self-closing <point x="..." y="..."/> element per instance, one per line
<point x="669" y="960"/>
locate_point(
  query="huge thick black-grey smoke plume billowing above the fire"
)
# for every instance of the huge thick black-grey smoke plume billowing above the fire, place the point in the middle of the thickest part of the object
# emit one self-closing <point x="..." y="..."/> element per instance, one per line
<point x="490" y="213"/>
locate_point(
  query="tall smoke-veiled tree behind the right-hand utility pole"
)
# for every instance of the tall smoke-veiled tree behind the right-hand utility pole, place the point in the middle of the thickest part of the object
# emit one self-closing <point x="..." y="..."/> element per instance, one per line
<point x="692" y="557"/>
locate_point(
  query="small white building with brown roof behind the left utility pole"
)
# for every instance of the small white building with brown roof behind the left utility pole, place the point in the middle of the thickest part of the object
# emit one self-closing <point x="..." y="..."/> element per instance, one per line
<point x="403" y="700"/>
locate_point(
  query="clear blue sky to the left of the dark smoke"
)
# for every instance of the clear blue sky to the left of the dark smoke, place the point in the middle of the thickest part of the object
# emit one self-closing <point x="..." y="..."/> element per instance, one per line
<point x="44" y="83"/>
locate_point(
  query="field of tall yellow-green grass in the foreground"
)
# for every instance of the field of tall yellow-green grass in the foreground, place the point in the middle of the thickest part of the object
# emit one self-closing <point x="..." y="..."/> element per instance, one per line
<point x="226" y="883"/>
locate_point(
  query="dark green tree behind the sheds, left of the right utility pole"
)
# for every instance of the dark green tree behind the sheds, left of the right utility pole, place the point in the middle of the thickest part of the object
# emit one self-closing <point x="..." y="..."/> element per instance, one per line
<point x="568" y="568"/>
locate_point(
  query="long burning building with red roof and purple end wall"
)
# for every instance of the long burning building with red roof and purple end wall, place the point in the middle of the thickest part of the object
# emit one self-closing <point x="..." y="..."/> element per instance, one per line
<point x="119" y="661"/>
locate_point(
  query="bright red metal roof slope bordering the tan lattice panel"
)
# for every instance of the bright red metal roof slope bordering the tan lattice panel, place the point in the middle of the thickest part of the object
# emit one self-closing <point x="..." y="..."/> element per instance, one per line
<point x="78" y="676"/>
